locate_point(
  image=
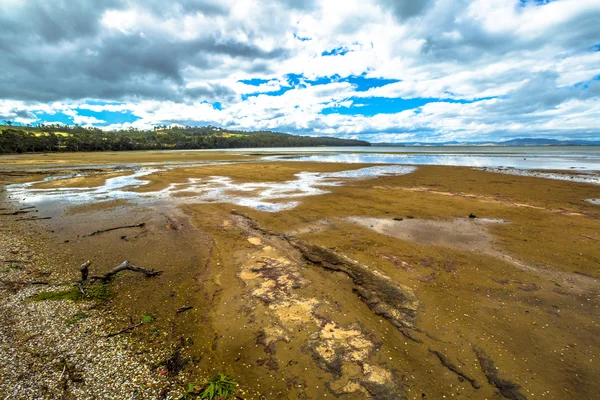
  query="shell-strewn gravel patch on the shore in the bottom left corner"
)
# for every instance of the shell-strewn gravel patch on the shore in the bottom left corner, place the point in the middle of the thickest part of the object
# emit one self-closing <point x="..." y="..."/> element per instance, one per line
<point x="59" y="349"/>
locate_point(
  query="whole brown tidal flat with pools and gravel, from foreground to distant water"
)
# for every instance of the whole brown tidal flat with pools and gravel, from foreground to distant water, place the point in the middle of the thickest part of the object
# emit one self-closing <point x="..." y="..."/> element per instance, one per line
<point x="298" y="278"/>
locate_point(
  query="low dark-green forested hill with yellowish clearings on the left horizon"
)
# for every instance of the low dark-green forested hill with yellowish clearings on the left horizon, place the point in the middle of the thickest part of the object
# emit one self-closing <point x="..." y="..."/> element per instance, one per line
<point x="45" y="138"/>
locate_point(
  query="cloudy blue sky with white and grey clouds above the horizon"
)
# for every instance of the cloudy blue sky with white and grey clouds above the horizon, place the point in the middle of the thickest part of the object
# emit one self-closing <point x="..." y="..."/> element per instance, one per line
<point x="378" y="70"/>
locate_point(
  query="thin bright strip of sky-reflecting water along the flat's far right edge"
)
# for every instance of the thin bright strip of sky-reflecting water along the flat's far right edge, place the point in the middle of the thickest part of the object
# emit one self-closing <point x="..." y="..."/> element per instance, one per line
<point x="588" y="161"/>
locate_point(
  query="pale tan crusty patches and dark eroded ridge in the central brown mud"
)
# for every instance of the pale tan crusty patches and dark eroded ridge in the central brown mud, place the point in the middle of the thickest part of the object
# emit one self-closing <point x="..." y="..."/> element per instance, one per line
<point x="273" y="275"/>
